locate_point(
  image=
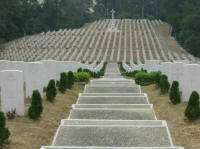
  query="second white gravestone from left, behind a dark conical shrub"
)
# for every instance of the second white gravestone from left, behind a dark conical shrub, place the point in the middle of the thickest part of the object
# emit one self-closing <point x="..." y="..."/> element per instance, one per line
<point x="33" y="76"/>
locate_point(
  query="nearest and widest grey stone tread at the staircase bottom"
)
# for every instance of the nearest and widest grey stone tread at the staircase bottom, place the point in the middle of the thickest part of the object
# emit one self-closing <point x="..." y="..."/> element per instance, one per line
<point x="116" y="136"/>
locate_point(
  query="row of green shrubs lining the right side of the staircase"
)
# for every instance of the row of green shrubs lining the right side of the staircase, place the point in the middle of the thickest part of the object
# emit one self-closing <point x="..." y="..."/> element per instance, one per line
<point x="144" y="78"/>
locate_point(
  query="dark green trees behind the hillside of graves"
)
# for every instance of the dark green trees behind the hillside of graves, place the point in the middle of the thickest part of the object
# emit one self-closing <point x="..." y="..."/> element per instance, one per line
<point x="22" y="17"/>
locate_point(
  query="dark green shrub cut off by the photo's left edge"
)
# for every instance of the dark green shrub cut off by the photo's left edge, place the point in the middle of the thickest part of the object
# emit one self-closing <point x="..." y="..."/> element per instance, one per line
<point x="4" y="132"/>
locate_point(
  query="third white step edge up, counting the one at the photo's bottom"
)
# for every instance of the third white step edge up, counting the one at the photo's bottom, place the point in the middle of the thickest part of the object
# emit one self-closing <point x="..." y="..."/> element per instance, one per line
<point x="112" y="106"/>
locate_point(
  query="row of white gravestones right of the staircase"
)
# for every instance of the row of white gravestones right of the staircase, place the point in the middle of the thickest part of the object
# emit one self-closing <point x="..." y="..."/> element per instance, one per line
<point x="186" y="74"/>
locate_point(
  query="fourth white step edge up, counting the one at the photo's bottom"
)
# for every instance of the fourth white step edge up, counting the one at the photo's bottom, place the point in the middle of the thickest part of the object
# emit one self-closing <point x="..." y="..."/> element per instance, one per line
<point x="111" y="94"/>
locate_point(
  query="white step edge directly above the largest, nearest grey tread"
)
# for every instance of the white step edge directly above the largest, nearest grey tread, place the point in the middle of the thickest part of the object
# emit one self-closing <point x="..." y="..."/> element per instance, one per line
<point x="113" y="122"/>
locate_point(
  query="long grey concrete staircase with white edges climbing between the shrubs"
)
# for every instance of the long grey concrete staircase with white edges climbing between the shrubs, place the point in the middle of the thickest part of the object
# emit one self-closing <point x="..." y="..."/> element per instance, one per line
<point x="112" y="113"/>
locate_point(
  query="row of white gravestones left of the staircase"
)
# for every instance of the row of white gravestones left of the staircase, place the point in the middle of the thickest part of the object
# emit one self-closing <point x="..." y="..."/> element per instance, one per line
<point x="35" y="75"/>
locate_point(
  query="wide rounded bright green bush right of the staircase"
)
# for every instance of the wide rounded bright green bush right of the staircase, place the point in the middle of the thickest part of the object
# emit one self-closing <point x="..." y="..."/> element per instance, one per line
<point x="143" y="78"/>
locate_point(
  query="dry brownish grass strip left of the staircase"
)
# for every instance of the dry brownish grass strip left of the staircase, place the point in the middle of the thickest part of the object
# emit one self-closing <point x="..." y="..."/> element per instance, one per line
<point x="30" y="134"/>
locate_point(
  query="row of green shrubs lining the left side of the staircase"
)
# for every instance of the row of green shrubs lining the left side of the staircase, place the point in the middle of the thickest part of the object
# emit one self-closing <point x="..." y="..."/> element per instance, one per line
<point x="36" y="108"/>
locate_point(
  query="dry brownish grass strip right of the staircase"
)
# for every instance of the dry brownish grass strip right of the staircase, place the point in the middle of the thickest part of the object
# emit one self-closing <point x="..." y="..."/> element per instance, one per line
<point x="184" y="133"/>
